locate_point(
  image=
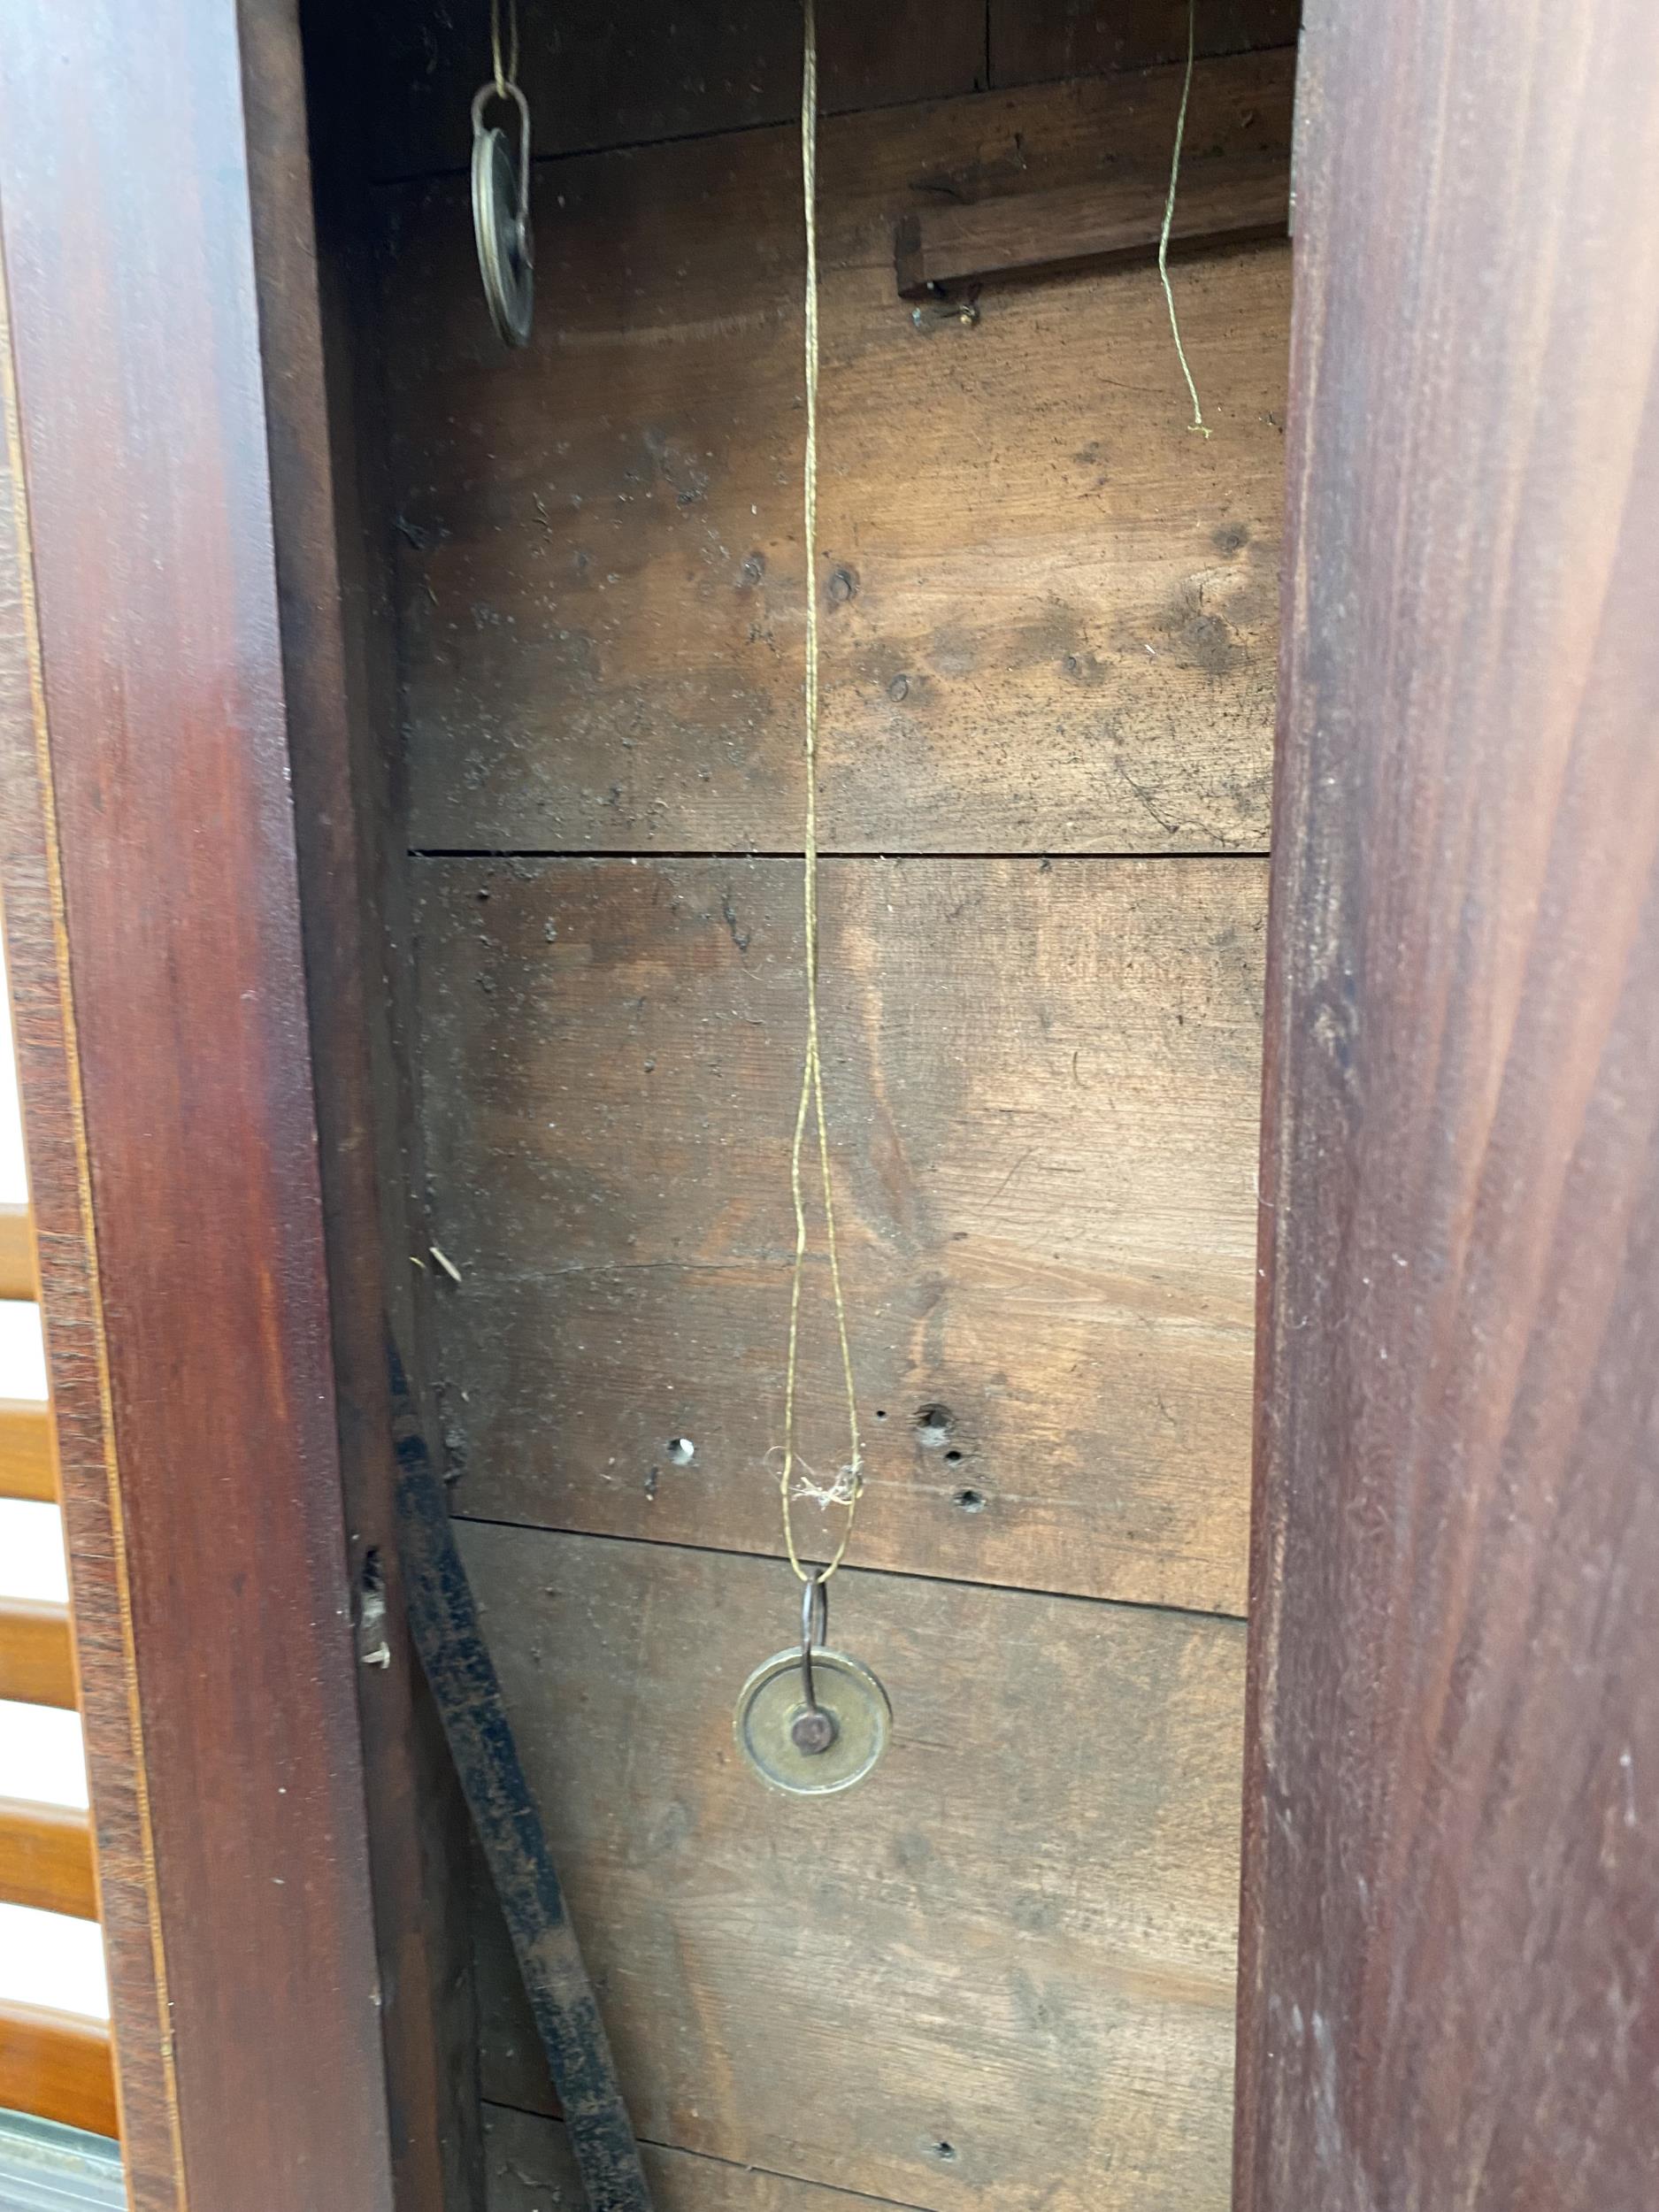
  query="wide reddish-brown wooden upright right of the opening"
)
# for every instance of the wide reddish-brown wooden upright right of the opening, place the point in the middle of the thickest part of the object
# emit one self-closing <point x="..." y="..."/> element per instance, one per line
<point x="1452" y="1968"/>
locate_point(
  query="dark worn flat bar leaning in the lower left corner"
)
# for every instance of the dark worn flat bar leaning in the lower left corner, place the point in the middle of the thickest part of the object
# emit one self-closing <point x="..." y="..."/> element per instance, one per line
<point x="444" y="1620"/>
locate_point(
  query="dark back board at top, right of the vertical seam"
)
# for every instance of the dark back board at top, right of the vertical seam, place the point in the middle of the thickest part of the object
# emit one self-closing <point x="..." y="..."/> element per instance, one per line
<point x="1065" y="39"/>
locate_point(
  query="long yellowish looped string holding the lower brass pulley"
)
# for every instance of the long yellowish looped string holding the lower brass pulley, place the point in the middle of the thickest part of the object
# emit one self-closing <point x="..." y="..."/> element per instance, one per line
<point x="795" y="1477"/>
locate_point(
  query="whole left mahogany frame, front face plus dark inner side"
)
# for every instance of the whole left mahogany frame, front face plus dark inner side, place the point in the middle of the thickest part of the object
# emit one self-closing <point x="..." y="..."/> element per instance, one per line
<point x="191" y="932"/>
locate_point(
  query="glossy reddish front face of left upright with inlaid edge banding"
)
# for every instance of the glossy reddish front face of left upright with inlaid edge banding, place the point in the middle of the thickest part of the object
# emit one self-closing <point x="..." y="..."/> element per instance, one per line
<point x="180" y="1134"/>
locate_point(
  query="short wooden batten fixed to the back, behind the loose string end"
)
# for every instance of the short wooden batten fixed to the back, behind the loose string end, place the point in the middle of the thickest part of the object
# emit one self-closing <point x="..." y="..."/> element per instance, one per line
<point x="1041" y="233"/>
